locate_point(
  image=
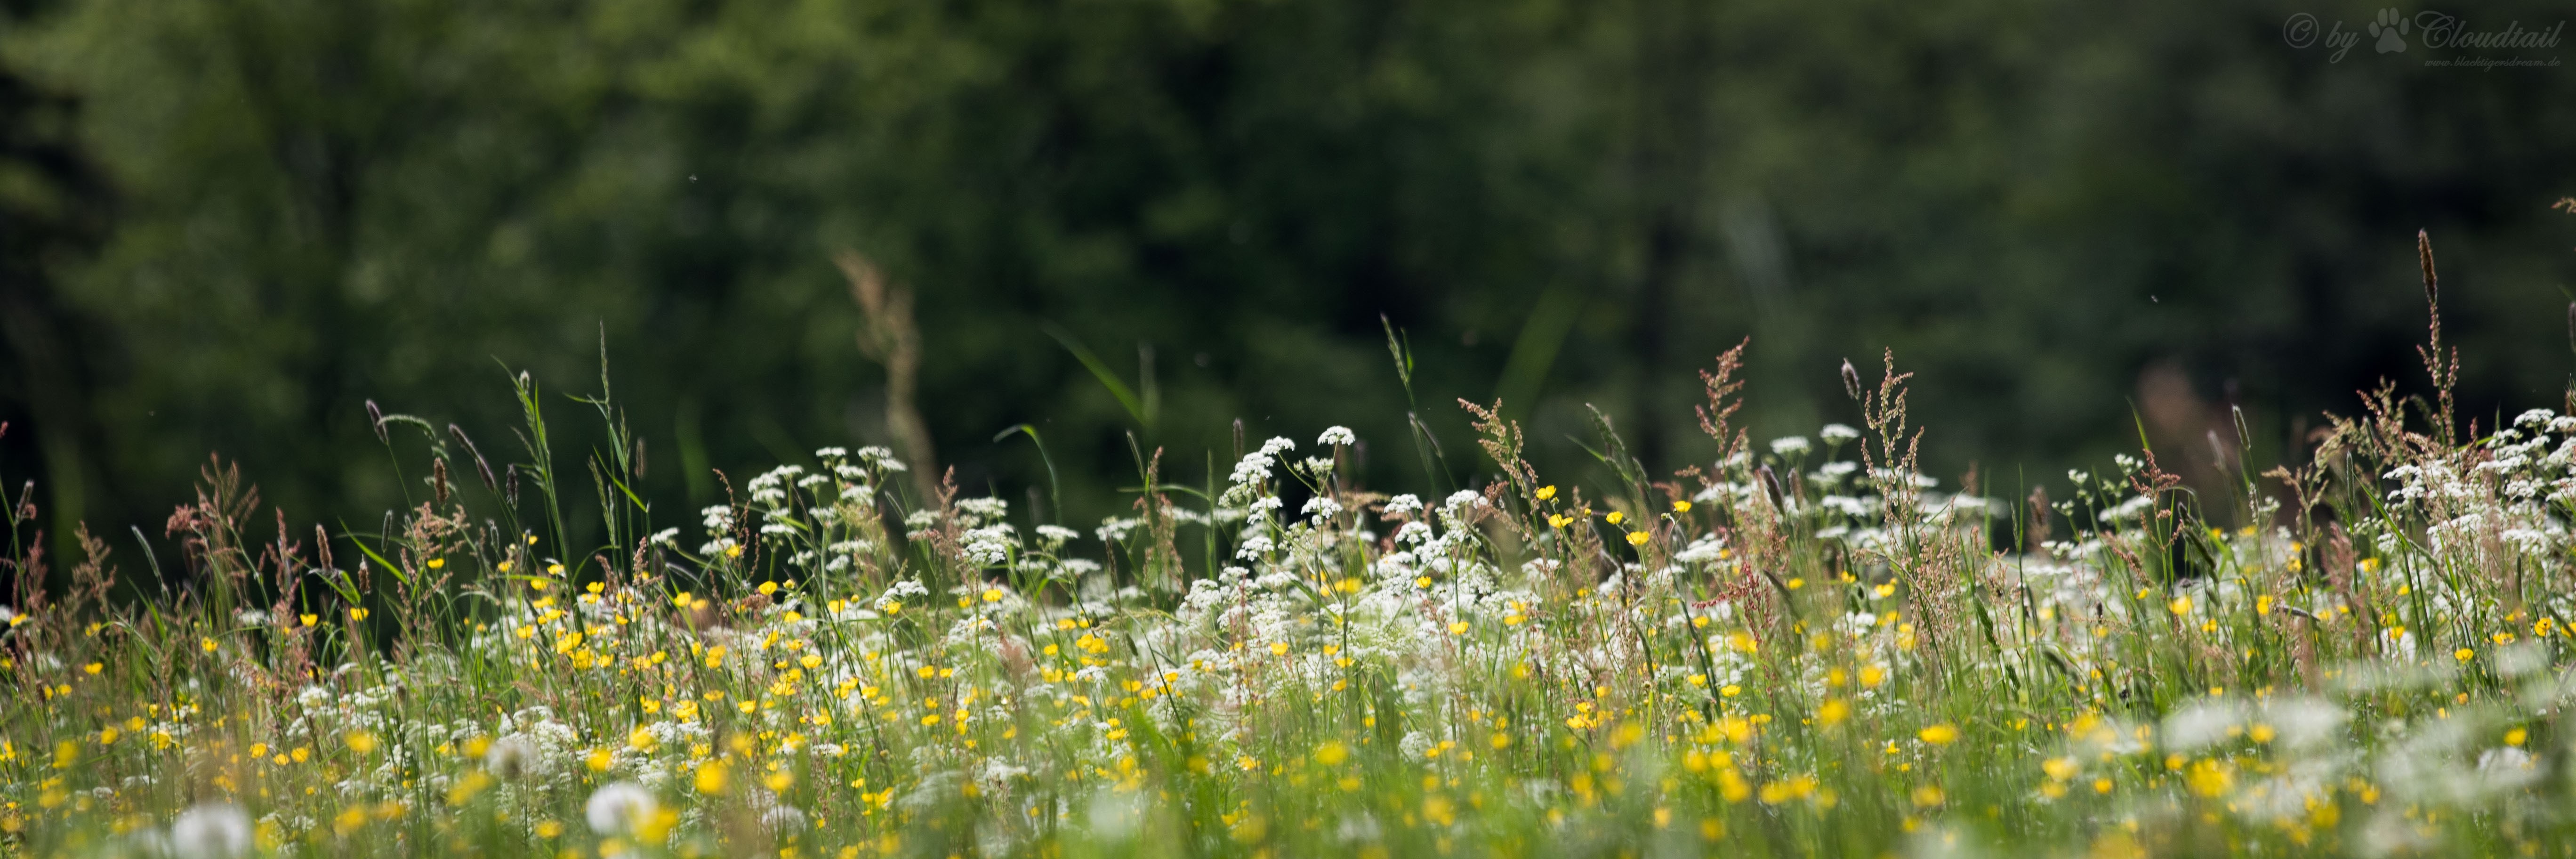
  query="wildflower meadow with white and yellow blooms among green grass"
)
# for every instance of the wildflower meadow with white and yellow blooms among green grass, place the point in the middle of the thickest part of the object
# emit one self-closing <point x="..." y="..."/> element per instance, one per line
<point x="1802" y="649"/>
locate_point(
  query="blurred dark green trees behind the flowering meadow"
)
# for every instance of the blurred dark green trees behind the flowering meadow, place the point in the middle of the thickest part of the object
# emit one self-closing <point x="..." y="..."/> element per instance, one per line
<point x="225" y="226"/>
